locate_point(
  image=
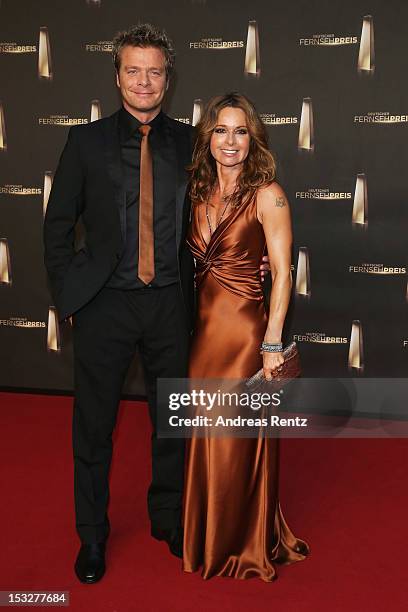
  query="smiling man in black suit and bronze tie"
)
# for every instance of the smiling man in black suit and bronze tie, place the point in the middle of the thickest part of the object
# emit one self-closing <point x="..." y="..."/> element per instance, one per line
<point x="116" y="303"/>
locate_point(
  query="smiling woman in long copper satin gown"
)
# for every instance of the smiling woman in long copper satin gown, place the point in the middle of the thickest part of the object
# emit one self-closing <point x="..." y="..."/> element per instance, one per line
<point x="233" y="523"/>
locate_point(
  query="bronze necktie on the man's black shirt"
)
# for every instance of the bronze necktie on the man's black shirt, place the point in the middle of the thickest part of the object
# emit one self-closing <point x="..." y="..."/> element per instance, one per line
<point x="146" y="238"/>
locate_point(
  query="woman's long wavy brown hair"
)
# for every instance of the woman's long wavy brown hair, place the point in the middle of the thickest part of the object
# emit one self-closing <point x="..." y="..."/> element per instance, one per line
<point x="259" y="168"/>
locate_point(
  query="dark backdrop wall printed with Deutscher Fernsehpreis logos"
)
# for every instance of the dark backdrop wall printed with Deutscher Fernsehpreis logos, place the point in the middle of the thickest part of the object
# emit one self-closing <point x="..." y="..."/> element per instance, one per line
<point x="329" y="80"/>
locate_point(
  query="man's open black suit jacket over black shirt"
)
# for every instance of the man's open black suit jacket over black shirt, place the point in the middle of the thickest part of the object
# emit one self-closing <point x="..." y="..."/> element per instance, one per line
<point x="89" y="183"/>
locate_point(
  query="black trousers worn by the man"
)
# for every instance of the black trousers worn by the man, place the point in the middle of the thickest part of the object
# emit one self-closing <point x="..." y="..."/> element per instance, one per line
<point x="106" y="333"/>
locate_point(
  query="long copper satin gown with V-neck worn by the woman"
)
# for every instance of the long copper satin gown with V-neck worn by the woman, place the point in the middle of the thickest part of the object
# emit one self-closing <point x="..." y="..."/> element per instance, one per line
<point x="233" y="523"/>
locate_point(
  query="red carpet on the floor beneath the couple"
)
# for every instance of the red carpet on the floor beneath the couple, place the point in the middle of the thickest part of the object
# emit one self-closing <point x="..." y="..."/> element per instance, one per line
<point x="347" y="498"/>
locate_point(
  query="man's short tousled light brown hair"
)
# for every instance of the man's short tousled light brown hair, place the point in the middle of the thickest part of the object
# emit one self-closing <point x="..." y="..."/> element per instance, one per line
<point x="144" y="35"/>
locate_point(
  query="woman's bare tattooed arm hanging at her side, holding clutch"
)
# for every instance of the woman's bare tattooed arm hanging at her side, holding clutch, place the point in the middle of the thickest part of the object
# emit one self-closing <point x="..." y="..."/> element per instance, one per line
<point x="274" y="214"/>
